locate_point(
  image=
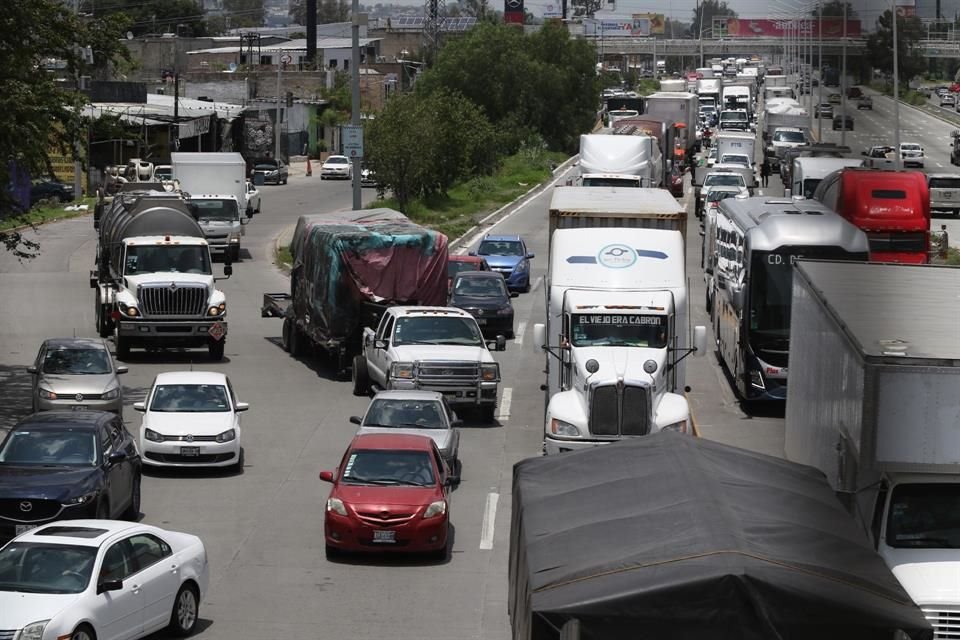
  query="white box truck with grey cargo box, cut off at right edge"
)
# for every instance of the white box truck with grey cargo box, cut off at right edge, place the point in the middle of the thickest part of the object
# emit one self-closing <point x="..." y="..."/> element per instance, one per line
<point x="873" y="404"/>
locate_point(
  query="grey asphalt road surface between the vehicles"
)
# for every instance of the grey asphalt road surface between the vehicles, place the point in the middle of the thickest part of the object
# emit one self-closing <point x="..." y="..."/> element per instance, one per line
<point x="264" y="527"/>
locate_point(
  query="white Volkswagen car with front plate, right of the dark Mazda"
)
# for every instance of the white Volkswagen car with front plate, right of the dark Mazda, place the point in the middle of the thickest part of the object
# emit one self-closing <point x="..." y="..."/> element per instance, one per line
<point x="191" y="419"/>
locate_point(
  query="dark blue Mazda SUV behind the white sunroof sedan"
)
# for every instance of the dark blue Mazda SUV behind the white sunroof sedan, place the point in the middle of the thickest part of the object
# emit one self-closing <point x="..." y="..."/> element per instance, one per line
<point x="61" y="465"/>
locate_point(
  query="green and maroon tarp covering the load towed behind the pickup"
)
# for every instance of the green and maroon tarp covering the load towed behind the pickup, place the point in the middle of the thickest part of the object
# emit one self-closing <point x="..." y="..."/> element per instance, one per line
<point x="341" y="261"/>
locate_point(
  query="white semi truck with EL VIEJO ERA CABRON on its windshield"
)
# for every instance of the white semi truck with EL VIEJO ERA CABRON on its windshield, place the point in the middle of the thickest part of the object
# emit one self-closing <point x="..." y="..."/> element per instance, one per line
<point x="617" y="320"/>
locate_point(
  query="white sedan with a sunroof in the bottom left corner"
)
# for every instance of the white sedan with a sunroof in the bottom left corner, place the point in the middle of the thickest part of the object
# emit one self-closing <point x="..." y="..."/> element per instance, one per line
<point x="100" y="580"/>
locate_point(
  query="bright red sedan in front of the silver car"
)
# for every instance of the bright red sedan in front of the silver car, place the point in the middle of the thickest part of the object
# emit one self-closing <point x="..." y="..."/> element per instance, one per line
<point x="390" y="493"/>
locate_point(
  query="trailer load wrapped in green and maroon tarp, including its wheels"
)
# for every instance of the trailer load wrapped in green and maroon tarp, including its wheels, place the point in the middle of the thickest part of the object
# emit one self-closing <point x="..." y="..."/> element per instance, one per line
<point x="347" y="269"/>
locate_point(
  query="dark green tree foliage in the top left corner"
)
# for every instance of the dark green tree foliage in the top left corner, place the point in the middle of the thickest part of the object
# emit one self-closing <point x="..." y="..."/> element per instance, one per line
<point x="43" y="116"/>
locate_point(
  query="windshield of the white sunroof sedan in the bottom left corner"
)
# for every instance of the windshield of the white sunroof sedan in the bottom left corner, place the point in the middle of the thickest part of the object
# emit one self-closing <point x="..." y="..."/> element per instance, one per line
<point x="30" y="567"/>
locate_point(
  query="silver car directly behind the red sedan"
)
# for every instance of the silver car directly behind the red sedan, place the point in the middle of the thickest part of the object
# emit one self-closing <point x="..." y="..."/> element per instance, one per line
<point x="424" y="413"/>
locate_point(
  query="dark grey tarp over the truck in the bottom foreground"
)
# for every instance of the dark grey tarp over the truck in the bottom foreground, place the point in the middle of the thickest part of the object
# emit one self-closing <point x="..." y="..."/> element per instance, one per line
<point x="669" y="537"/>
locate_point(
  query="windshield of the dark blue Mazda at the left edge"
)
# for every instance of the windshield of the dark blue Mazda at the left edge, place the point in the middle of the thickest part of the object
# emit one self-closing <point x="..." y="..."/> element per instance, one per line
<point x="49" y="448"/>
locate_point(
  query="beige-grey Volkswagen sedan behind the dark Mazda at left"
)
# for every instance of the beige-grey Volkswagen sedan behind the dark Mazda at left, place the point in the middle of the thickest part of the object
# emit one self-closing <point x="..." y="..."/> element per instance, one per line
<point x="76" y="374"/>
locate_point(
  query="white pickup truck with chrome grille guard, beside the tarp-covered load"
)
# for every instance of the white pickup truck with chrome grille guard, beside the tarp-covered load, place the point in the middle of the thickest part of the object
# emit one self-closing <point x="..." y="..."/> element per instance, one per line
<point x="432" y="348"/>
